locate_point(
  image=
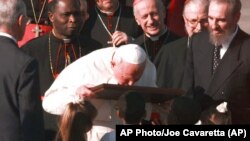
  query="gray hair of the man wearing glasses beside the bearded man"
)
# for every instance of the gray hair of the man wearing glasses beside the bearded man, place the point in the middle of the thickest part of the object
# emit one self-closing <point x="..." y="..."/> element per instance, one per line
<point x="200" y="3"/>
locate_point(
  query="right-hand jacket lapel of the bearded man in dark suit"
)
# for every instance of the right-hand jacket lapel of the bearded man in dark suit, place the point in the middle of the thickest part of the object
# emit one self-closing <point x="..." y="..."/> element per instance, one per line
<point x="229" y="63"/>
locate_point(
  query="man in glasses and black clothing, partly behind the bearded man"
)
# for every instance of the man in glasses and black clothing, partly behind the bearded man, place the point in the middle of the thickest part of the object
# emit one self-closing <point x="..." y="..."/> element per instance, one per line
<point x="170" y="61"/>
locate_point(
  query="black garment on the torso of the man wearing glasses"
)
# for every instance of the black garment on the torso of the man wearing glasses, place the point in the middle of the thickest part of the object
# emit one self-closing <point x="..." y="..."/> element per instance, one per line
<point x="170" y="63"/>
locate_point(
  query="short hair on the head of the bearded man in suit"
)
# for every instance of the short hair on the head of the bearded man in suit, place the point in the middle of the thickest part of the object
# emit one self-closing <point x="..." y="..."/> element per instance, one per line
<point x="234" y="5"/>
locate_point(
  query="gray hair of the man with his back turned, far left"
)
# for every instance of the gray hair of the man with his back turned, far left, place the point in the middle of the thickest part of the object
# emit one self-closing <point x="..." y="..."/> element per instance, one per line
<point x="10" y="10"/>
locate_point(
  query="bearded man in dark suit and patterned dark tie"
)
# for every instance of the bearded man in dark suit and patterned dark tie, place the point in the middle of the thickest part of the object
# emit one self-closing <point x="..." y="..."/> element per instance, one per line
<point x="219" y="60"/>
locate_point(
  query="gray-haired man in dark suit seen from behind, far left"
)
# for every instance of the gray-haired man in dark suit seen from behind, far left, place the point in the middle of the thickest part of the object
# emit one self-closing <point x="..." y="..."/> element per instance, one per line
<point x="20" y="105"/>
